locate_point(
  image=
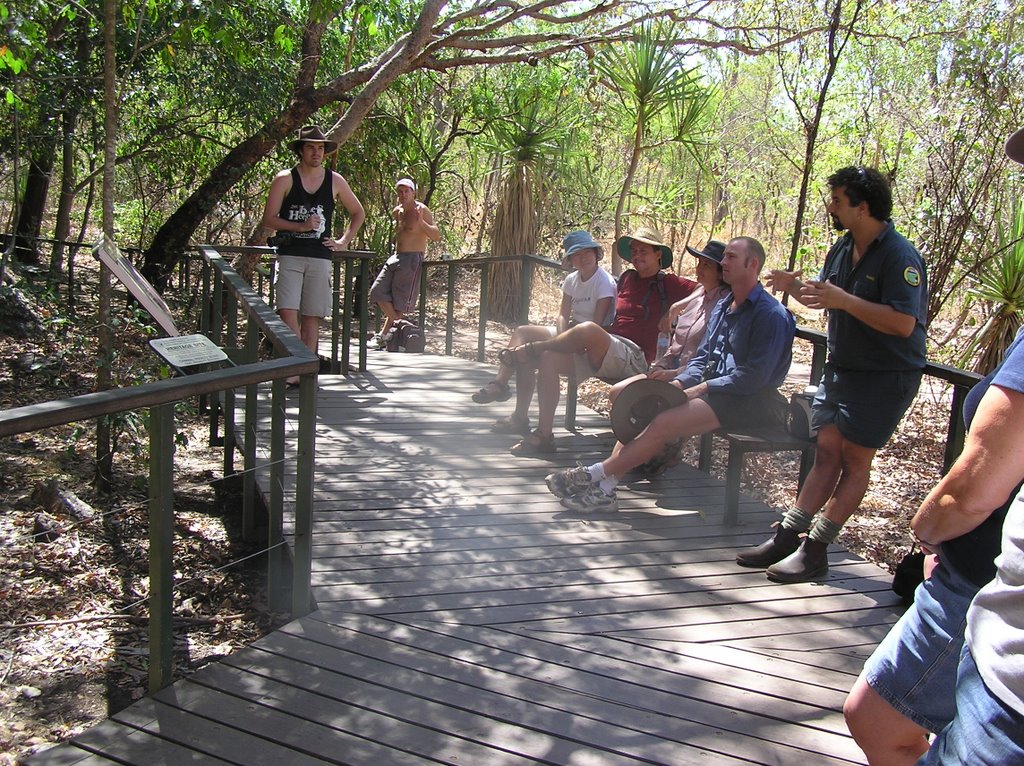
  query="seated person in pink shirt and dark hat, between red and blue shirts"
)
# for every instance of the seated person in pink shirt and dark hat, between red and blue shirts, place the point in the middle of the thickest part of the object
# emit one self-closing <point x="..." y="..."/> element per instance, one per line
<point x="689" y="318"/>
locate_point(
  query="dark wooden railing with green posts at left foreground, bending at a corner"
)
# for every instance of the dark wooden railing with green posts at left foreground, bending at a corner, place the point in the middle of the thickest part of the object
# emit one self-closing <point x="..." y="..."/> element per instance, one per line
<point x="294" y="360"/>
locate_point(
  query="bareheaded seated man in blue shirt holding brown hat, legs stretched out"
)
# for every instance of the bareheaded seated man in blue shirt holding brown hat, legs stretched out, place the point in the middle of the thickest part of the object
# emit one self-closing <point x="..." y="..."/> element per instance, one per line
<point x="732" y="381"/>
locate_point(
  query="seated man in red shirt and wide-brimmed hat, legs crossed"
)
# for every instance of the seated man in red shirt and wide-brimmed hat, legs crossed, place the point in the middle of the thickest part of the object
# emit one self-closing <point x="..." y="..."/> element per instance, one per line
<point x="645" y="295"/>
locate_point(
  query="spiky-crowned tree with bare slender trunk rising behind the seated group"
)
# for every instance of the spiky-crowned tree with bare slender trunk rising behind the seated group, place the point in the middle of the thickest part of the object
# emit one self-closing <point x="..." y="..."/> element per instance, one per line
<point x="659" y="98"/>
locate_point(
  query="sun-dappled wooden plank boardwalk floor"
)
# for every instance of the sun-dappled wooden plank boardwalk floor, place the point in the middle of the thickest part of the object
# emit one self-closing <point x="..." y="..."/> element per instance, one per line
<point x="466" y="618"/>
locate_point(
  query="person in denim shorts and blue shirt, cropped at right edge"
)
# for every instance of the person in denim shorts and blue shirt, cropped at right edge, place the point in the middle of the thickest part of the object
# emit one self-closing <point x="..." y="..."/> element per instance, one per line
<point x="908" y="688"/>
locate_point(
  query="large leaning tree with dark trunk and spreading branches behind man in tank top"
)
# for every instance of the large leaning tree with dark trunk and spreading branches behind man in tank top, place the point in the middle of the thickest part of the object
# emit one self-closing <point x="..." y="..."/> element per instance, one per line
<point x="436" y="37"/>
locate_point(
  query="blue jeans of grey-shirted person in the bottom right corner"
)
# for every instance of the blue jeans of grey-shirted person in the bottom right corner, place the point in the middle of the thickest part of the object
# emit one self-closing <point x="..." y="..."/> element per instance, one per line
<point x="986" y="733"/>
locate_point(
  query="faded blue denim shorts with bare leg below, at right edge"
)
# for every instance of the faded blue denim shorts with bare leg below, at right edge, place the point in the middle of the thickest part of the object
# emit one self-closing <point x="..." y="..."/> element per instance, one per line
<point x="915" y="667"/>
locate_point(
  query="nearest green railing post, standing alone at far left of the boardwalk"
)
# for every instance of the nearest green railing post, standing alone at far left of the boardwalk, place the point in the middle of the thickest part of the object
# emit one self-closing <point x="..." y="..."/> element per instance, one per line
<point x="161" y="545"/>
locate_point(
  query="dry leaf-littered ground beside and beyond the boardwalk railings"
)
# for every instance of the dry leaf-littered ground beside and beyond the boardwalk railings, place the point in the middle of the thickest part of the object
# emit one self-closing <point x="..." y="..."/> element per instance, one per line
<point x="73" y="586"/>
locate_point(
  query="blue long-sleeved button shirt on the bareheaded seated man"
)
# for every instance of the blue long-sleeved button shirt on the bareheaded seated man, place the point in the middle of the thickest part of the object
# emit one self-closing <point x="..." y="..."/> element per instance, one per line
<point x="745" y="350"/>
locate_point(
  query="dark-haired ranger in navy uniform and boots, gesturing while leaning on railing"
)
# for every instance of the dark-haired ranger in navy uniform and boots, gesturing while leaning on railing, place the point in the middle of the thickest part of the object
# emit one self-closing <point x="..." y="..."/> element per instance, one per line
<point x="874" y="287"/>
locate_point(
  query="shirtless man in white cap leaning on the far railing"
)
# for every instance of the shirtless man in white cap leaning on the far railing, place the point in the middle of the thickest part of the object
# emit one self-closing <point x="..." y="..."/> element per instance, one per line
<point x="398" y="285"/>
